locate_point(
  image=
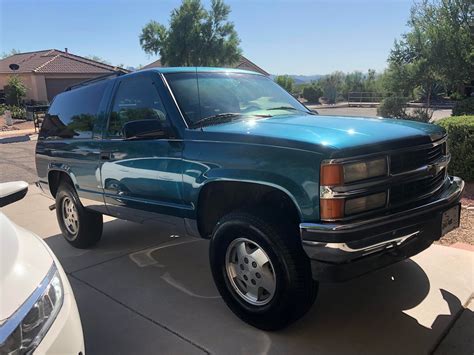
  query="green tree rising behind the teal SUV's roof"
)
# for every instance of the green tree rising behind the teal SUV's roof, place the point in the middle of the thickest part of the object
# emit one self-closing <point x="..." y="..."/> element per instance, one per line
<point x="195" y="36"/>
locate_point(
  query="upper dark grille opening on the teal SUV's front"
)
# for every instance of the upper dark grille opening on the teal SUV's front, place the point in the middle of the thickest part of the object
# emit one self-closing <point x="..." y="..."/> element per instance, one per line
<point x="405" y="161"/>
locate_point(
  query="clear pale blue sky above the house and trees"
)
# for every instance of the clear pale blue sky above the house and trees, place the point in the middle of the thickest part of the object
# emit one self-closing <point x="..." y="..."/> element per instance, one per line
<point x="281" y="36"/>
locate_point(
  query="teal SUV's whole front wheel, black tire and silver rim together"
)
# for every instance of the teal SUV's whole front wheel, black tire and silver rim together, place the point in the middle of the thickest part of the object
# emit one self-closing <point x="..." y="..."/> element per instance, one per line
<point x="261" y="271"/>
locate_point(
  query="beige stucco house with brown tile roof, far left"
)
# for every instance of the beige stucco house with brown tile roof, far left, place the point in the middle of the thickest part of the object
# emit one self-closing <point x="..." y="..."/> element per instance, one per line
<point x="48" y="72"/>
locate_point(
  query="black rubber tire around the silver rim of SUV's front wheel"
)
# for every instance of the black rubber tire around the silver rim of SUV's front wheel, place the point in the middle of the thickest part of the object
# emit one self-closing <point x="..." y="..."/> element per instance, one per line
<point x="295" y="290"/>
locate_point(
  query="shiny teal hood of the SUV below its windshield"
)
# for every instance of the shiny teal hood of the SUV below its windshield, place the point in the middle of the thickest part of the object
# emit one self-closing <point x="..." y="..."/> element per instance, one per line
<point x="336" y="132"/>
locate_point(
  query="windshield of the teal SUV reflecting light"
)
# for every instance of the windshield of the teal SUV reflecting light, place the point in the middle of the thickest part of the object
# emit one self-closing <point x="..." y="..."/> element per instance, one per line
<point x="219" y="95"/>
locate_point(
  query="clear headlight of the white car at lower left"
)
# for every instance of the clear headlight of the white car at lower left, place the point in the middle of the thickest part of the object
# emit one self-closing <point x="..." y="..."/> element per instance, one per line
<point x="24" y="330"/>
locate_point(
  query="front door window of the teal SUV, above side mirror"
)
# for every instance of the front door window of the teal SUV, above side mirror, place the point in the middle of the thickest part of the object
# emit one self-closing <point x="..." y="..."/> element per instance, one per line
<point x="136" y="99"/>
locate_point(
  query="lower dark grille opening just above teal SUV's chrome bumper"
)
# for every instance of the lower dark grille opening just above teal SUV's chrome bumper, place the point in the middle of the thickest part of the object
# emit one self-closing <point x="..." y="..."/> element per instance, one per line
<point x="410" y="191"/>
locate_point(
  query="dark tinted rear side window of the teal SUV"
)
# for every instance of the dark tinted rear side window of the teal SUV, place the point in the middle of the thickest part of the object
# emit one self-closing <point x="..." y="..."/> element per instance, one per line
<point x="74" y="113"/>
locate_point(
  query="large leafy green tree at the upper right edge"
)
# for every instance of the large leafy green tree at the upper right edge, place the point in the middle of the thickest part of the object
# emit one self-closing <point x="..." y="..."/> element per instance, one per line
<point x="439" y="48"/>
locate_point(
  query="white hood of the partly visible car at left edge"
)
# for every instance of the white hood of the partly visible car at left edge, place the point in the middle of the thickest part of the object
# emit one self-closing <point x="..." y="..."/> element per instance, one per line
<point x="24" y="262"/>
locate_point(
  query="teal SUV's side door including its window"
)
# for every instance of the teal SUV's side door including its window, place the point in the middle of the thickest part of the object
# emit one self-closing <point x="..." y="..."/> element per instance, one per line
<point x="141" y="177"/>
